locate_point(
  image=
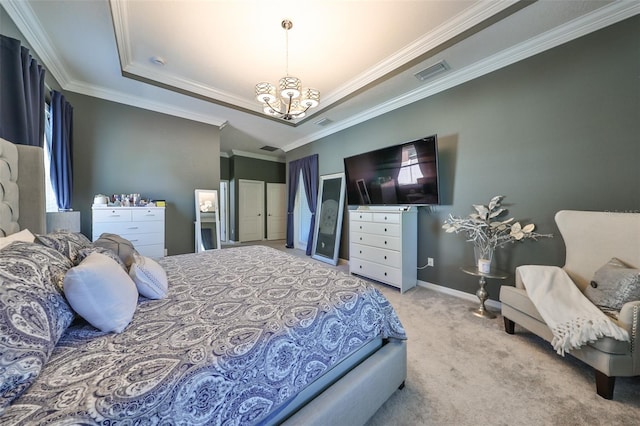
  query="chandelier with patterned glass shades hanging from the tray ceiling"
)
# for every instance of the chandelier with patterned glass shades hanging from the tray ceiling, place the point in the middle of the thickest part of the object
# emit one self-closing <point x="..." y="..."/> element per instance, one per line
<point x="290" y="101"/>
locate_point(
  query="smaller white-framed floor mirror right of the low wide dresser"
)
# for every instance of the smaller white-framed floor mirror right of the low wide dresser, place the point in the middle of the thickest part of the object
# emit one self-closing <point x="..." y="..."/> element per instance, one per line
<point x="207" y="225"/>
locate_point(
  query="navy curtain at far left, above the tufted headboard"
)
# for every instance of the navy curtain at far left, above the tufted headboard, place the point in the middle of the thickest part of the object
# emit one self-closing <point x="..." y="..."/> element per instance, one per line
<point x="22" y="94"/>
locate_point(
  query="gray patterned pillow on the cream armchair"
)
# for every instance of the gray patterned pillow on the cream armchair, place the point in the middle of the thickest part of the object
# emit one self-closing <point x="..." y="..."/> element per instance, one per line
<point x="613" y="285"/>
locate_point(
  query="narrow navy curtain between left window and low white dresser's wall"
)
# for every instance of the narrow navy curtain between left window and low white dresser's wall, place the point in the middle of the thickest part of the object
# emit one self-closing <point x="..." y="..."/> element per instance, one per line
<point x="61" y="148"/>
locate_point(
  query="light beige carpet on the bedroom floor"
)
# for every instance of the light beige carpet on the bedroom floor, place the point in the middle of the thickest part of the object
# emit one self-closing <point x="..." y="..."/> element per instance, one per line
<point x="465" y="370"/>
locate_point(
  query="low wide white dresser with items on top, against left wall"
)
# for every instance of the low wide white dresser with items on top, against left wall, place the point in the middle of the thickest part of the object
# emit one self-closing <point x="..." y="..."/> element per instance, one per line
<point x="143" y="226"/>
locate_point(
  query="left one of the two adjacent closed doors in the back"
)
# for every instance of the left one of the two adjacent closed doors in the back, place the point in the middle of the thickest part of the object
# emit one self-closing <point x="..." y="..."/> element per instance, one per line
<point x="250" y="210"/>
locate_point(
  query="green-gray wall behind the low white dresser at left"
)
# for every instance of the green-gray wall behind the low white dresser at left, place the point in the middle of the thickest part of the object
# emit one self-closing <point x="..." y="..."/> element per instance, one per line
<point x="121" y="149"/>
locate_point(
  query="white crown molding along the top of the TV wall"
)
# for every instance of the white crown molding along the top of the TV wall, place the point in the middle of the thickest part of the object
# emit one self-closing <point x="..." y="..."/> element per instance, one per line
<point x="579" y="27"/>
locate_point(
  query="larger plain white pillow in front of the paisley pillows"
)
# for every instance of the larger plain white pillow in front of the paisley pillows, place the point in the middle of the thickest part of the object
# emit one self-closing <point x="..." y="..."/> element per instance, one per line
<point x="101" y="292"/>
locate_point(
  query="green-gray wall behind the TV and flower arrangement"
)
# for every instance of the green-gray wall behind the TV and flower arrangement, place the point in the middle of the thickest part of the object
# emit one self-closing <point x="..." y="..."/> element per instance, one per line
<point x="557" y="131"/>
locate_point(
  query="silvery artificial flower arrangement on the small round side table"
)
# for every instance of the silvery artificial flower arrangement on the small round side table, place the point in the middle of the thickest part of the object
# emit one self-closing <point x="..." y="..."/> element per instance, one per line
<point x="487" y="232"/>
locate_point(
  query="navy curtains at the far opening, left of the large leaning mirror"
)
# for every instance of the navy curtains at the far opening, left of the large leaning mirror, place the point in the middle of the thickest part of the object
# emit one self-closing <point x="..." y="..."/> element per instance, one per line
<point x="309" y="168"/>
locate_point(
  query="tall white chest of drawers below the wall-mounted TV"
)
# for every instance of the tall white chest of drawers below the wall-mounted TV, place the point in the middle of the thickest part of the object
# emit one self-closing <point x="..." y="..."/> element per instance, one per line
<point x="383" y="245"/>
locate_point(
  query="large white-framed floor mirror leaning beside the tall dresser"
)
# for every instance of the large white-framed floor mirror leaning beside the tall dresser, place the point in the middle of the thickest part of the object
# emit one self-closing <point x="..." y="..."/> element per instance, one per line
<point x="326" y="237"/>
